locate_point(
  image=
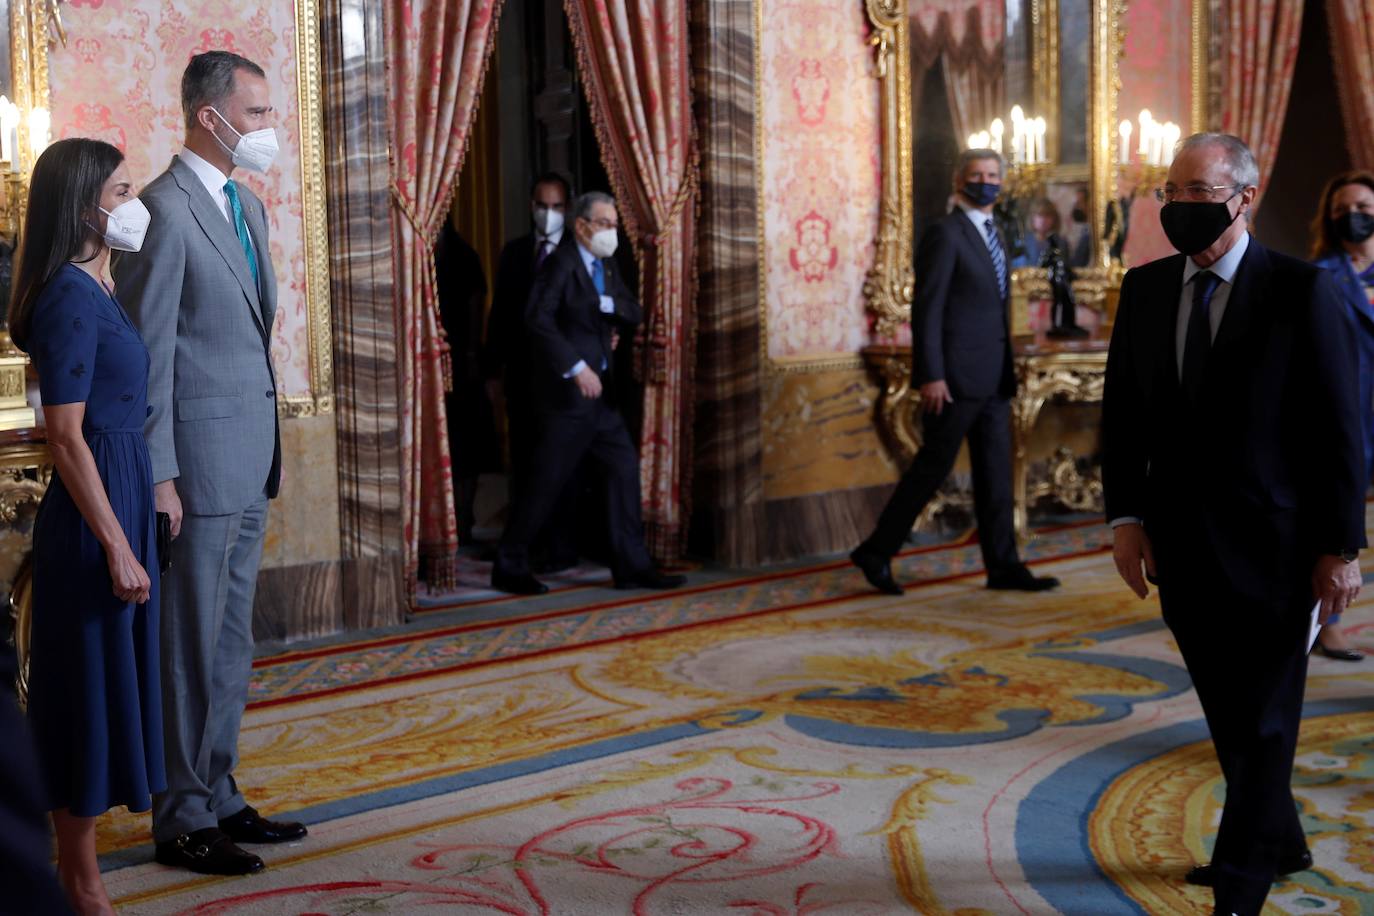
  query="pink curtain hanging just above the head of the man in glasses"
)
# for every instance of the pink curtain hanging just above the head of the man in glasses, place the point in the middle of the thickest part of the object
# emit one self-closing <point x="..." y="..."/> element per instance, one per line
<point x="1261" y="51"/>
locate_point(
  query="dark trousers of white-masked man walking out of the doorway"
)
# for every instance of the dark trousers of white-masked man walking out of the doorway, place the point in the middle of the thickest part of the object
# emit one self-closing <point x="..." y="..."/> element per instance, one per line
<point x="597" y="433"/>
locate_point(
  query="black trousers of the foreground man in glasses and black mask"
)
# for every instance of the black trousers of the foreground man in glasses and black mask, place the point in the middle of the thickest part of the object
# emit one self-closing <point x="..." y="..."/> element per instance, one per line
<point x="1248" y="661"/>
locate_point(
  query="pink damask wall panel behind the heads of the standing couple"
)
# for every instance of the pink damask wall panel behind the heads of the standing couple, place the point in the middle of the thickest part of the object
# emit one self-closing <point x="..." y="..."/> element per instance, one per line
<point x="119" y="79"/>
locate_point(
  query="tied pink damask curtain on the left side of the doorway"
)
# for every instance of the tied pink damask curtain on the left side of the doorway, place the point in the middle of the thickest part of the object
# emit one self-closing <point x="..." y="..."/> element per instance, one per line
<point x="438" y="53"/>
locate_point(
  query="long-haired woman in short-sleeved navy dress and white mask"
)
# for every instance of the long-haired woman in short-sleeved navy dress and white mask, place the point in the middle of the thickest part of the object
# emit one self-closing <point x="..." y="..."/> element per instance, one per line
<point x="94" y="694"/>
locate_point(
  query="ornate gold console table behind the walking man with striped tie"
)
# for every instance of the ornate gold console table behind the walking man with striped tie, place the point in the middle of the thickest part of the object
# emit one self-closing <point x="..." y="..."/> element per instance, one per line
<point x="1066" y="371"/>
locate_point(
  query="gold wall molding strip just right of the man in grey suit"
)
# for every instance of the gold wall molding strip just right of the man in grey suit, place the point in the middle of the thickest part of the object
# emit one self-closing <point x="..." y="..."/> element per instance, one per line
<point x="314" y="218"/>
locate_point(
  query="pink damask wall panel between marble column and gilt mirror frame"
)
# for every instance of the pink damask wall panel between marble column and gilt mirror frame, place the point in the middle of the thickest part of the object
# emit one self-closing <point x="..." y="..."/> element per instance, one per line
<point x="821" y="160"/>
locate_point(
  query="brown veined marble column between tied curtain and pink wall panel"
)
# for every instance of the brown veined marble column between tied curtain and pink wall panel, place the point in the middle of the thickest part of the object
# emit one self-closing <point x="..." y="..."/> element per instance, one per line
<point x="729" y="495"/>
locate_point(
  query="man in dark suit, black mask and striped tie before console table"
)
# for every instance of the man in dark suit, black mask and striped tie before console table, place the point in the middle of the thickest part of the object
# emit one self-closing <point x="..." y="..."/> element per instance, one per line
<point x="962" y="363"/>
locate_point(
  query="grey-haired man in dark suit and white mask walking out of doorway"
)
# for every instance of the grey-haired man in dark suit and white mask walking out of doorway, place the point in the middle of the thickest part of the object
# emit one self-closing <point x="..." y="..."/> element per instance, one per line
<point x="578" y="308"/>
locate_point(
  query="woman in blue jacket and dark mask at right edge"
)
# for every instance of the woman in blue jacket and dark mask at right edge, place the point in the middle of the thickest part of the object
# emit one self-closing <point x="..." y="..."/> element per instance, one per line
<point x="1343" y="242"/>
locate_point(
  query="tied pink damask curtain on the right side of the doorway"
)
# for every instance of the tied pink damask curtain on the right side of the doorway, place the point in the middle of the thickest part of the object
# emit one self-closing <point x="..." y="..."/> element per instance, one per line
<point x="634" y="61"/>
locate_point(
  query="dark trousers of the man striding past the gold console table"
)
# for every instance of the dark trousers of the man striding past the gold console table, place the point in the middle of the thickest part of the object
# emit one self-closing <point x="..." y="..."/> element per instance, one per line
<point x="987" y="425"/>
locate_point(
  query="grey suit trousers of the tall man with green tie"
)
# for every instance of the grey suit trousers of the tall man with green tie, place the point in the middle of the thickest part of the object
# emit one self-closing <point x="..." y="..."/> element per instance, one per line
<point x="207" y="664"/>
